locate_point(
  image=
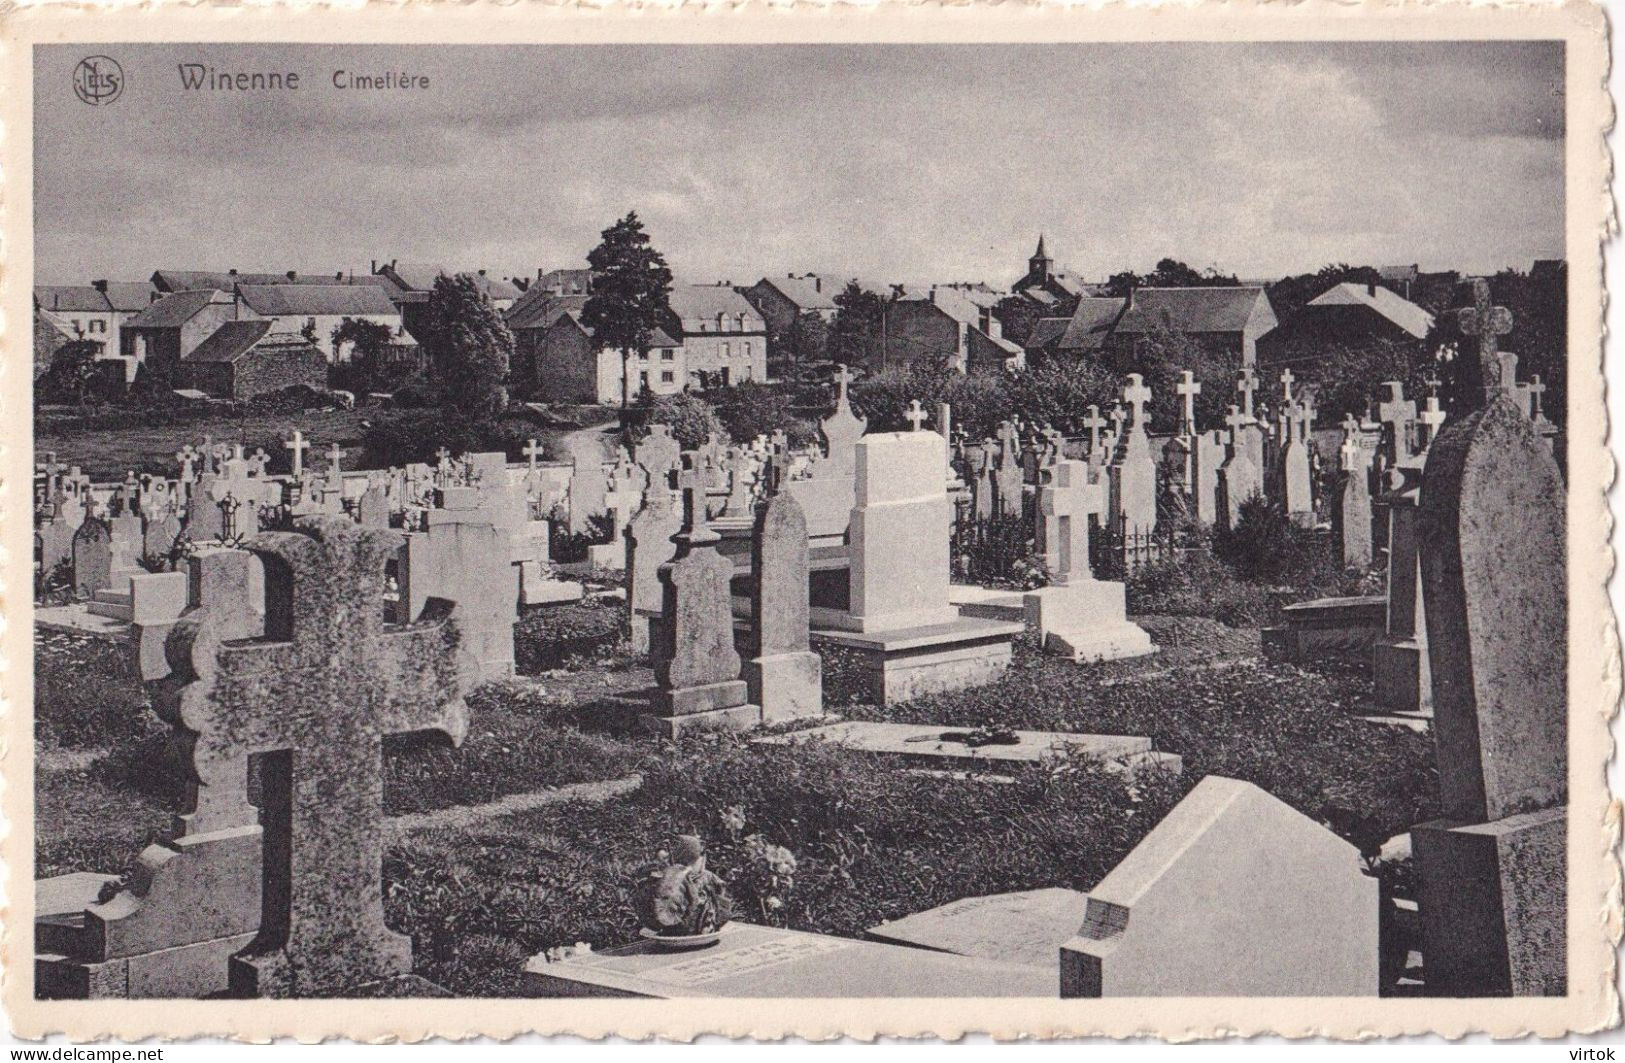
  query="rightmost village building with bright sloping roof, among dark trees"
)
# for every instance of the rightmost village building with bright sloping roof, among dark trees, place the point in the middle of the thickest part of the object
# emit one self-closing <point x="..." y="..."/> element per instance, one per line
<point x="1346" y="316"/>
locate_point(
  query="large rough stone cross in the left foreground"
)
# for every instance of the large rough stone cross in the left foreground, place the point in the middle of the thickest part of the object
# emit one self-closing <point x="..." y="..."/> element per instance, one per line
<point x="316" y="698"/>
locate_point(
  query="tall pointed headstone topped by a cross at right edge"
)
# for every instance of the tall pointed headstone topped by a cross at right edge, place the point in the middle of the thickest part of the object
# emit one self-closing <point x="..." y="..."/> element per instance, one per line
<point x="1494" y="576"/>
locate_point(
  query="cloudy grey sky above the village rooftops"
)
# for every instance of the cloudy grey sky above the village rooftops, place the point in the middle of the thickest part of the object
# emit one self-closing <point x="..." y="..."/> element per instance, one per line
<point x="890" y="162"/>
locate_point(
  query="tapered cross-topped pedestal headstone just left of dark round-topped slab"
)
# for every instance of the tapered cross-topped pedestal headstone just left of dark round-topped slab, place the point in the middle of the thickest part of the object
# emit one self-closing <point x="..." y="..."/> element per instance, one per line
<point x="696" y="666"/>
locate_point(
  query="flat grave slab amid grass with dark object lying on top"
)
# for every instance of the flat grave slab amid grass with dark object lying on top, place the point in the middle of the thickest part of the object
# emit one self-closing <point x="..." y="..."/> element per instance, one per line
<point x="938" y="745"/>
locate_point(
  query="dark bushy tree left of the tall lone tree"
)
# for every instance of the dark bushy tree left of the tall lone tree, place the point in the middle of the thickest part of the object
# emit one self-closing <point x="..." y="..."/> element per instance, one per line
<point x="469" y="349"/>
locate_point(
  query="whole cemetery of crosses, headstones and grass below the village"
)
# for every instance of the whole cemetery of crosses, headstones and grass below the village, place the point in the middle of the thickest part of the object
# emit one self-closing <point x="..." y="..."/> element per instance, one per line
<point x="1259" y="718"/>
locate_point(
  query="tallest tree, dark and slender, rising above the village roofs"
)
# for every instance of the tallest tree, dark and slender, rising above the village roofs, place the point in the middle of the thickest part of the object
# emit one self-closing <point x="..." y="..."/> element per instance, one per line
<point x="631" y="292"/>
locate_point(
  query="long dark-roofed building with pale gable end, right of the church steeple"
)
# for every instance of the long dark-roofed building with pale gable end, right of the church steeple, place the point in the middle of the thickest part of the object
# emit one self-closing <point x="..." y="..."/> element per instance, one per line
<point x="1224" y="321"/>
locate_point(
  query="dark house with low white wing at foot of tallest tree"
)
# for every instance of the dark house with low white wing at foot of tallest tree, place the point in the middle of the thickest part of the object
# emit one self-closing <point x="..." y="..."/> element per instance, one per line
<point x="558" y="360"/>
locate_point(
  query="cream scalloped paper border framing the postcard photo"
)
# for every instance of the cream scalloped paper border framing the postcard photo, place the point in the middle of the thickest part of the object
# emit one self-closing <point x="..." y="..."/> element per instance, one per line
<point x="1595" y="657"/>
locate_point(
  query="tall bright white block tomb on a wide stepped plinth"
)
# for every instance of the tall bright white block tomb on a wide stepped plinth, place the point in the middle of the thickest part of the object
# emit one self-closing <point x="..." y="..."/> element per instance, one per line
<point x="908" y="635"/>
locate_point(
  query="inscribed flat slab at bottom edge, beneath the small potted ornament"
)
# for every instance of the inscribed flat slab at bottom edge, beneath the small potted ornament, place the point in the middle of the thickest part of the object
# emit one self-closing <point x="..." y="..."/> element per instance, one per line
<point x="765" y="961"/>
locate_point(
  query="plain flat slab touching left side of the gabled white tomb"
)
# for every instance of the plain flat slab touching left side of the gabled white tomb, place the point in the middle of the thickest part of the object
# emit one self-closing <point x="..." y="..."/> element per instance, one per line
<point x="1026" y="927"/>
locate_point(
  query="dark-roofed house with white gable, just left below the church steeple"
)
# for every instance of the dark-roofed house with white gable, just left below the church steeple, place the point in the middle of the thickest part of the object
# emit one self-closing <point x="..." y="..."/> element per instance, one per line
<point x="945" y="326"/>
